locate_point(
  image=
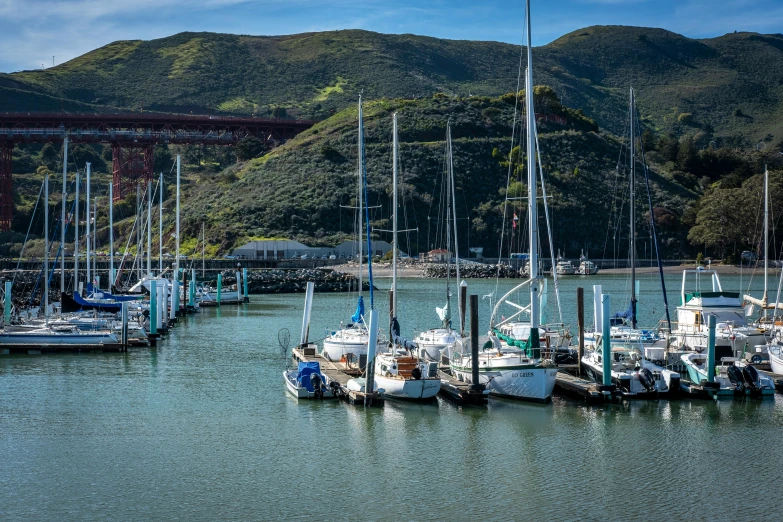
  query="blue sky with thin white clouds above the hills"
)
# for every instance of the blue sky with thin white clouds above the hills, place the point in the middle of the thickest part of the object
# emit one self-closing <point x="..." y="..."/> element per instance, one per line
<point x="32" y="31"/>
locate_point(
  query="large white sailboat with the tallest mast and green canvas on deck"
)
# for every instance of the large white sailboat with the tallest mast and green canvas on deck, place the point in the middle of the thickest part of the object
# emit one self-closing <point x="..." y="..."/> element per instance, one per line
<point x="512" y="364"/>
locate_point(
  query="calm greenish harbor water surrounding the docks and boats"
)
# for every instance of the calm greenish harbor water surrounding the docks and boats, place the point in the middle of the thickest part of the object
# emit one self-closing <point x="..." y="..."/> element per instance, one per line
<point x="201" y="428"/>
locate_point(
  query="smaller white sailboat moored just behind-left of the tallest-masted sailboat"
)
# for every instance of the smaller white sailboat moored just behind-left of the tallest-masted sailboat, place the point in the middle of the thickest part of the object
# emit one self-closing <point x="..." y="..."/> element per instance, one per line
<point x="433" y="342"/>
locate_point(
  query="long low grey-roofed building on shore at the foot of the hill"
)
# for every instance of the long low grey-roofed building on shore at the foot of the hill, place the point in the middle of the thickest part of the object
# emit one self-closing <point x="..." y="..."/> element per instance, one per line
<point x="279" y="249"/>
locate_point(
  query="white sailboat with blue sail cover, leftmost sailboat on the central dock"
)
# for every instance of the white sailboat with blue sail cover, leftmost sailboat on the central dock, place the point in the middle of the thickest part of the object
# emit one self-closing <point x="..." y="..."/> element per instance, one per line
<point x="349" y="342"/>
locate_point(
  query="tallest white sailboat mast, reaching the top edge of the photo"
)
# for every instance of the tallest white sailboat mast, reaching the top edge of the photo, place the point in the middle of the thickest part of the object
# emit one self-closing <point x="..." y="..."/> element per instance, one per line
<point x="532" y="194"/>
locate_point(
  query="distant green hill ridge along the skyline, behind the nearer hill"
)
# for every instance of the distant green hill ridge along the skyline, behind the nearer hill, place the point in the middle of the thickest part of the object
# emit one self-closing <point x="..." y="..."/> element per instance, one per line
<point x="731" y="86"/>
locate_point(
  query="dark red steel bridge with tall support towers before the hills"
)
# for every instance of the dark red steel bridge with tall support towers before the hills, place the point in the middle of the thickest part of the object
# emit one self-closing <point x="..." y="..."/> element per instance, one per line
<point x="132" y="137"/>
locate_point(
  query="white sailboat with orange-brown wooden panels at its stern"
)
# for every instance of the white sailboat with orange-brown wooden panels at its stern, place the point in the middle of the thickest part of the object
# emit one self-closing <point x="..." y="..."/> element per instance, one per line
<point x="401" y="374"/>
